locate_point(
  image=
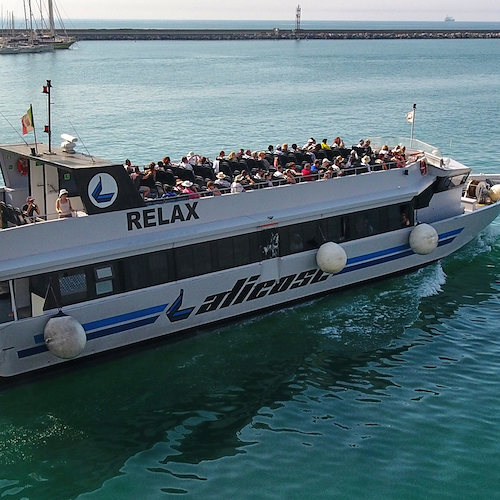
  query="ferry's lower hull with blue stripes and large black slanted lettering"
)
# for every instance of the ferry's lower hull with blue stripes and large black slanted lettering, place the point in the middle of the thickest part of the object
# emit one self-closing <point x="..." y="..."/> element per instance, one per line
<point x="204" y="300"/>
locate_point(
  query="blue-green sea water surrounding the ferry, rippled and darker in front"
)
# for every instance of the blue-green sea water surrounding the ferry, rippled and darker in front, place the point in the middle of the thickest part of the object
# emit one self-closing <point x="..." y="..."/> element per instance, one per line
<point x="388" y="390"/>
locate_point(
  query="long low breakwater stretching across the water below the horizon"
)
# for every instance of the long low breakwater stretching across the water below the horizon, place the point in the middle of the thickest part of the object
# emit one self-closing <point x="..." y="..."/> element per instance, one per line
<point x="272" y="34"/>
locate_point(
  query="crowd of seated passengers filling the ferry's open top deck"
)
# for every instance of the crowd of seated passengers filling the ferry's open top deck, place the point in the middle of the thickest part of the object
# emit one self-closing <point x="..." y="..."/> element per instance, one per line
<point x="244" y="170"/>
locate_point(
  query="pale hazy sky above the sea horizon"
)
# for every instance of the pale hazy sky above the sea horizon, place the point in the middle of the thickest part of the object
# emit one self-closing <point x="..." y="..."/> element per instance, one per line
<point x="330" y="10"/>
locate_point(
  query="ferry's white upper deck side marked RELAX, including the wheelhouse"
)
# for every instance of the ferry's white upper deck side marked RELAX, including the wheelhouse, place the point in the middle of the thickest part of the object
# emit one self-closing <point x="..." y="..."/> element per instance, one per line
<point x="133" y="226"/>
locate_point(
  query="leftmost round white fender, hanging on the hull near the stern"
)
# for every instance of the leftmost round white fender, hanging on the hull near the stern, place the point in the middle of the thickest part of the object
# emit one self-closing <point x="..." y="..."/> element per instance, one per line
<point x="64" y="336"/>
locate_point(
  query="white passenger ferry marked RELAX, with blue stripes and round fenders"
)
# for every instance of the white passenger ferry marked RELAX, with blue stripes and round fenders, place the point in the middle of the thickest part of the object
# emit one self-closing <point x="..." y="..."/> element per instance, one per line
<point x="125" y="270"/>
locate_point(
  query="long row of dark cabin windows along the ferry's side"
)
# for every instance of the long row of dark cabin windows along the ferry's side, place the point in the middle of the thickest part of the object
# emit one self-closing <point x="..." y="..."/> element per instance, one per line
<point x="137" y="272"/>
